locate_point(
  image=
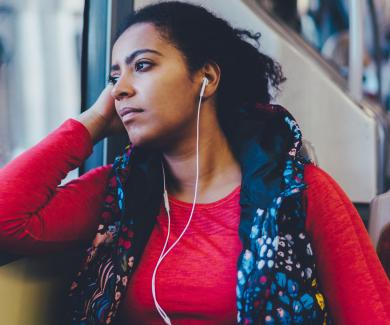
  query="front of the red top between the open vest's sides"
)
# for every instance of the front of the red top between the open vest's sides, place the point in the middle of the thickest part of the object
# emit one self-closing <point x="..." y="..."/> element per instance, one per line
<point x="196" y="281"/>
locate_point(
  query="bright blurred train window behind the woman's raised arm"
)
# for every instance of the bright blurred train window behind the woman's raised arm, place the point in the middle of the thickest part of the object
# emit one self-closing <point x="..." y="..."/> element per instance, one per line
<point x="40" y="63"/>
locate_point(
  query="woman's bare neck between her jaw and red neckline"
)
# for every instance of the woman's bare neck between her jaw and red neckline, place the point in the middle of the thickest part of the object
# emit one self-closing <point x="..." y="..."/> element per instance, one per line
<point x="219" y="171"/>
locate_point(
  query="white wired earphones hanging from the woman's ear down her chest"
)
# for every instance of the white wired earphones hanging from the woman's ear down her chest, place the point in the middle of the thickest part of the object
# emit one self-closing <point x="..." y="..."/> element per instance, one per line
<point x="164" y="253"/>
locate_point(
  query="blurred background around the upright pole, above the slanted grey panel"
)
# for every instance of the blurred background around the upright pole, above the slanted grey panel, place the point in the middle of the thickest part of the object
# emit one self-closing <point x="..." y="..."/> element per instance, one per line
<point x="324" y="24"/>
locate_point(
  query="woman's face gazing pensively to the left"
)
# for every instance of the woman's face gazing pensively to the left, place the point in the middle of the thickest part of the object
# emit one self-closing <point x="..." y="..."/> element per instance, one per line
<point x="154" y="95"/>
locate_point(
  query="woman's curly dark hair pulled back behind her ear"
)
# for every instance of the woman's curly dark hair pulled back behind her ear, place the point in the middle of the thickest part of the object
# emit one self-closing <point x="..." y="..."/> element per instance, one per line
<point x="247" y="75"/>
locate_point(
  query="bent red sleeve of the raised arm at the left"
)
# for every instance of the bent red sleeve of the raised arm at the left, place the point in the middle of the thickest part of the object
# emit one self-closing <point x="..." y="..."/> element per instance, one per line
<point x="36" y="214"/>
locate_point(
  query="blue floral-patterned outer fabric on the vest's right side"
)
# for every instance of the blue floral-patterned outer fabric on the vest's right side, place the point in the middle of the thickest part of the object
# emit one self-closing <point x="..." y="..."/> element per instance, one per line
<point x="276" y="279"/>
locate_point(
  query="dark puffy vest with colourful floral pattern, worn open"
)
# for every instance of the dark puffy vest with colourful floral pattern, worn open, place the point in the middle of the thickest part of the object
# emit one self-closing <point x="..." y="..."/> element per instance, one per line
<point x="276" y="279"/>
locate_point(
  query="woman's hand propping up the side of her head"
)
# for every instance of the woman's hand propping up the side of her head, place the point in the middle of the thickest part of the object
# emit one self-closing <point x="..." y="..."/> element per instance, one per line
<point x="101" y="119"/>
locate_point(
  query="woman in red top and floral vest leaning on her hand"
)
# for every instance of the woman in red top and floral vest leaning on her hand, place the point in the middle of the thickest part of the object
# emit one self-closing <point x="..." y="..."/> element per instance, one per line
<point x="202" y="220"/>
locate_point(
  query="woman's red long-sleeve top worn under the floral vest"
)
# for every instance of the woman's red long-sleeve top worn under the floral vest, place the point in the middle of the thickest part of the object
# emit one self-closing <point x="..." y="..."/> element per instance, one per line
<point x="39" y="216"/>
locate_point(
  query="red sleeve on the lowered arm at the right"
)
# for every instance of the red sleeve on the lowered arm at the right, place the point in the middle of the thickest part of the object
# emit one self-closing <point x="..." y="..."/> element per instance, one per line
<point x="350" y="273"/>
